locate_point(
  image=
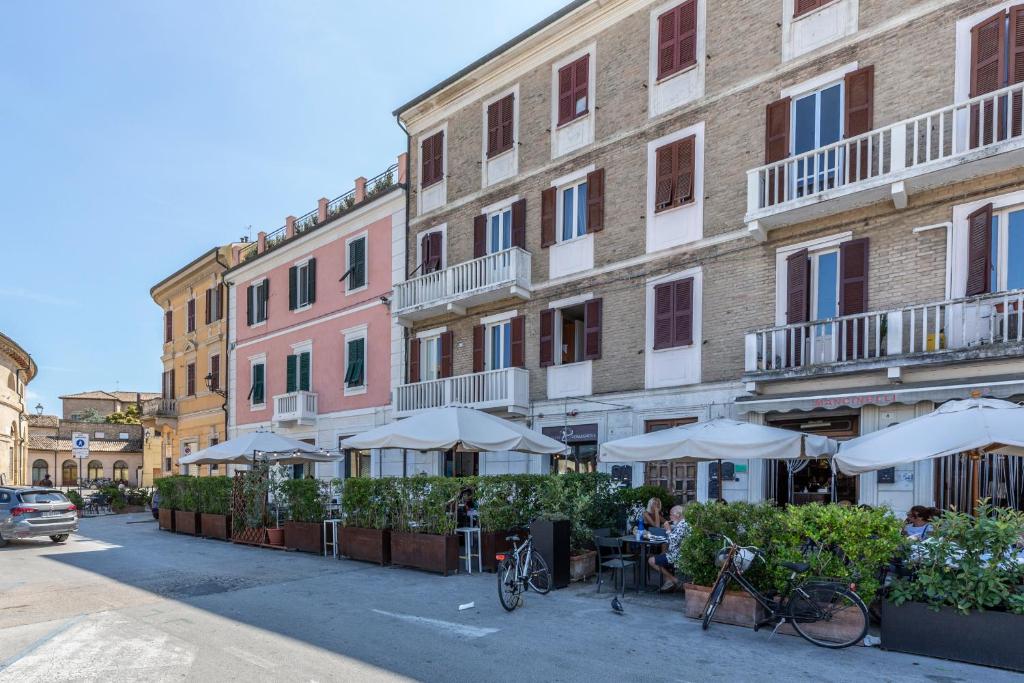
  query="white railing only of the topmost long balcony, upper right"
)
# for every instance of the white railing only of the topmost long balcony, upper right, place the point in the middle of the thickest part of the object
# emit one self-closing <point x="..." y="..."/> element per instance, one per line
<point x="890" y="153"/>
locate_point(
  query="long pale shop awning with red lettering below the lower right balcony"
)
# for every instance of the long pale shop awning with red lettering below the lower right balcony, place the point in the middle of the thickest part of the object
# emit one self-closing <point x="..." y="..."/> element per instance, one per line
<point x="940" y="393"/>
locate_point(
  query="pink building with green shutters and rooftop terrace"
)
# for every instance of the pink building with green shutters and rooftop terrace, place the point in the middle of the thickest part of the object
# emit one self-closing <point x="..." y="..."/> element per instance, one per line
<point x="313" y="348"/>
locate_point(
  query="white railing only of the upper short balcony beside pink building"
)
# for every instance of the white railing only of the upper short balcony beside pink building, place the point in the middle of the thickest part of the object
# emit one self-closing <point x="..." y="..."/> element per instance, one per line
<point x="511" y="267"/>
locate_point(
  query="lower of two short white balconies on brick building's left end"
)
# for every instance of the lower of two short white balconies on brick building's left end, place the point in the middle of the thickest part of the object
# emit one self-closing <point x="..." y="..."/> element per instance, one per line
<point x="505" y="391"/>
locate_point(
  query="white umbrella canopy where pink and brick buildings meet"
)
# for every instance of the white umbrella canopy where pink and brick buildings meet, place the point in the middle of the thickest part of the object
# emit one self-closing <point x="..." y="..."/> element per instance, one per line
<point x="464" y="430"/>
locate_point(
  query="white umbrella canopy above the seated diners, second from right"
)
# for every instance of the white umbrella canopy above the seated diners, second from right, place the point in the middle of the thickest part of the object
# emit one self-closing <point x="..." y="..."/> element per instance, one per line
<point x="718" y="440"/>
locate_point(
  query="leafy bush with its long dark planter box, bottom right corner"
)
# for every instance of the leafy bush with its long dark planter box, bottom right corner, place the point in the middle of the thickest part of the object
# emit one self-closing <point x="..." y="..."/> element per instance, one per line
<point x="967" y="600"/>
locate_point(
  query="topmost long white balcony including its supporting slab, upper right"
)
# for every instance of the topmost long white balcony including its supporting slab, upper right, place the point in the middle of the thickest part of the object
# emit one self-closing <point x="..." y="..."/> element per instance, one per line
<point x="978" y="137"/>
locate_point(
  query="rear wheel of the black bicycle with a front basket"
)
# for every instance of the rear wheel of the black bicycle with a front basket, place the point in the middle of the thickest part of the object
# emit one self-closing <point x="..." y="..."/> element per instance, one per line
<point x="828" y="615"/>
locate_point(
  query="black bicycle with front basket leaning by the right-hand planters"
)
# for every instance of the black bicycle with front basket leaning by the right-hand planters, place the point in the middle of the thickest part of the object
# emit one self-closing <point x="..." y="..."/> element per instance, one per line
<point x="826" y="613"/>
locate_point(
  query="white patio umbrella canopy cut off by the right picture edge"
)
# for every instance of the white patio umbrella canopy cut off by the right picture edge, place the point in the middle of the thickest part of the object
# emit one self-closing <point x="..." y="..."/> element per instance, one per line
<point x="971" y="425"/>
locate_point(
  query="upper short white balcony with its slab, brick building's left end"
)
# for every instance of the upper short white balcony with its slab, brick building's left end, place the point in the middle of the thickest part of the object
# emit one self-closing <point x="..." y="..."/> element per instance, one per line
<point x="492" y="278"/>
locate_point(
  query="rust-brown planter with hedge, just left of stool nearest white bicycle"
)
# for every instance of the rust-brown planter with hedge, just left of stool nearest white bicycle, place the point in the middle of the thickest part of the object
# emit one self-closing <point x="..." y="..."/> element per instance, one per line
<point x="423" y="536"/>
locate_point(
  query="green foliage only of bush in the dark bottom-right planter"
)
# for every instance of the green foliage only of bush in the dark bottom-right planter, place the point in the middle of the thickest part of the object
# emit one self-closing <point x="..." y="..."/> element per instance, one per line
<point x="967" y="564"/>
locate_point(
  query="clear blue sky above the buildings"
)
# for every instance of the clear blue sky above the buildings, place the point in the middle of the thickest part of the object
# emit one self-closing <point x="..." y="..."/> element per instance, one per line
<point x="137" y="136"/>
